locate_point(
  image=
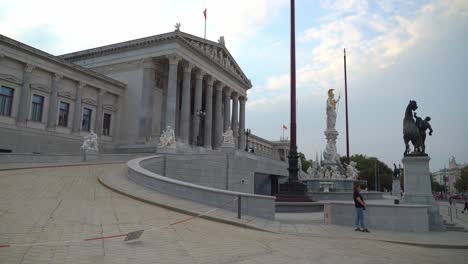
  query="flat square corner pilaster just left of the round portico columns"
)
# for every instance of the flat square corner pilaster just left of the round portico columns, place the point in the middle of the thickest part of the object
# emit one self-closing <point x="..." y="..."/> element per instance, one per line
<point x="147" y="100"/>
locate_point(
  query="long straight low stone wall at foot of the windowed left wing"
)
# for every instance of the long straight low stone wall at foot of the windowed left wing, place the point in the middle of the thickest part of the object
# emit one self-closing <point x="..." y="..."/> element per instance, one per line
<point x="6" y="158"/>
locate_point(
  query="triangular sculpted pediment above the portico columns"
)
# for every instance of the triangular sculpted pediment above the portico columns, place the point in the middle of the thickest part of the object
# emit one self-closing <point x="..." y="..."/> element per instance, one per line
<point x="219" y="54"/>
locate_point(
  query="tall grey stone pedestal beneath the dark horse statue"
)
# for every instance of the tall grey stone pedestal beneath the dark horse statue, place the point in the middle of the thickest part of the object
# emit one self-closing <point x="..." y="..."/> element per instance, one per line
<point x="417" y="184"/>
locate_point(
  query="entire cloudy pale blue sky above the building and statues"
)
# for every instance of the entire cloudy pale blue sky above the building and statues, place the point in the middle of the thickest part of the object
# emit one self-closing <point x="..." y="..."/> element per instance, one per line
<point x="397" y="50"/>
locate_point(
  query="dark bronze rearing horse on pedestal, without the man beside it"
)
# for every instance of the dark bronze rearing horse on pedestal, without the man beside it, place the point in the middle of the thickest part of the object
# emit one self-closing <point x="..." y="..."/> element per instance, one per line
<point x="411" y="130"/>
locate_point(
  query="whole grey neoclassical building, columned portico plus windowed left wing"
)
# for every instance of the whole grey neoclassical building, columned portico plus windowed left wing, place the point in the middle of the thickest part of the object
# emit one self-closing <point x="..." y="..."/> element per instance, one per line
<point x="128" y="93"/>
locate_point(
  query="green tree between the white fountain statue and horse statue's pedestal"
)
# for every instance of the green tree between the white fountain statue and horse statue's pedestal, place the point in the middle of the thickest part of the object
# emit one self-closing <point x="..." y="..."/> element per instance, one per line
<point x="369" y="167"/>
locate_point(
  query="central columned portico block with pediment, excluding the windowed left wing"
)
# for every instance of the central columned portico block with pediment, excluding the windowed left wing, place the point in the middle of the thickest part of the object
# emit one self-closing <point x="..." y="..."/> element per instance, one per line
<point x="175" y="80"/>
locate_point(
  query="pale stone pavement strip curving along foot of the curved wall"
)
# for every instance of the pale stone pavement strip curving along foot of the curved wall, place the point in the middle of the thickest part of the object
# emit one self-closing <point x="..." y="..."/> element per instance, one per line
<point x="119" y="182"/>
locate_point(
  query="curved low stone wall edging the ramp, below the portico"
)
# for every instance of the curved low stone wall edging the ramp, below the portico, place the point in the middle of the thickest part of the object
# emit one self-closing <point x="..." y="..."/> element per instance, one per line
<point x="253" y="205"/>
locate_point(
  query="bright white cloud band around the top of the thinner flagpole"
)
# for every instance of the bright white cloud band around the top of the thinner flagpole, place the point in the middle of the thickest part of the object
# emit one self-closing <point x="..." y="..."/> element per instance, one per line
<point x="390" y="36"/>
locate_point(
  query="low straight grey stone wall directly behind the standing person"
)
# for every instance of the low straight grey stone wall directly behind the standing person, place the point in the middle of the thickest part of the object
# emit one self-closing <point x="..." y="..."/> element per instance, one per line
<point x="398" y="217"/>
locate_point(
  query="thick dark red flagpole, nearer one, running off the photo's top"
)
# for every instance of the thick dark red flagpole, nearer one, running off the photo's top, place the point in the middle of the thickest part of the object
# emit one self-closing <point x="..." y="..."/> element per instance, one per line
<point x="293" y="157"/>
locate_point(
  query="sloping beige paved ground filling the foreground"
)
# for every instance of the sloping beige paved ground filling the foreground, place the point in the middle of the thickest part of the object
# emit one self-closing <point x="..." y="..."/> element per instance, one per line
<point x="46" y="205"/>
